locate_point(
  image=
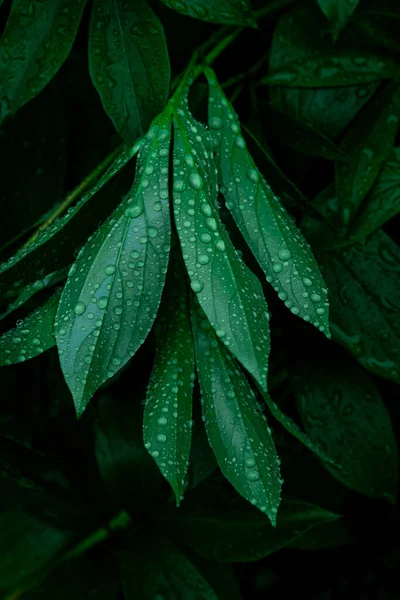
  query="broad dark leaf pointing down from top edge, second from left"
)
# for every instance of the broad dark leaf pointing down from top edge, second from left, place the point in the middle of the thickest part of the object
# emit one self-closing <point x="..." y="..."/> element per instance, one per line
<point x="129" y="64"/>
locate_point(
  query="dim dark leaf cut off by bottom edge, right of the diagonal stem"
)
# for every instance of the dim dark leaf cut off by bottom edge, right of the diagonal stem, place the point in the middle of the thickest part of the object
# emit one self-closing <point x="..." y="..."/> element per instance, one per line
<point x="158" y="569"/>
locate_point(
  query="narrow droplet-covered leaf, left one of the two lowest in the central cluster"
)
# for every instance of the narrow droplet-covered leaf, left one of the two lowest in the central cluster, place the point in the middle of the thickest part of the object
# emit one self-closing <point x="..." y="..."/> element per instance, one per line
<point x="168" y="412"/>
